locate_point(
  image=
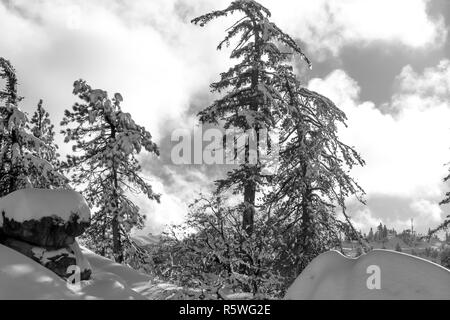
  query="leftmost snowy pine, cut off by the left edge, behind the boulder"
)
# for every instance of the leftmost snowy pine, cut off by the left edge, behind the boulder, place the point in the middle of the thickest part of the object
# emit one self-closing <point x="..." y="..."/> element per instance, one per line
<point x="22" y="160"/>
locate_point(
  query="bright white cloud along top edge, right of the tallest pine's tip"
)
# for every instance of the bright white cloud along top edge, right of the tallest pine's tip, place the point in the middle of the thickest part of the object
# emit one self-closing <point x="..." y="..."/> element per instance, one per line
<point x="327" y="26"/>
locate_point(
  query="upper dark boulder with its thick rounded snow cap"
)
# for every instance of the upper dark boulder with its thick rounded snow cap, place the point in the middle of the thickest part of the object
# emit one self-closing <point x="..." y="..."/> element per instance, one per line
<point x="47" y="218"/>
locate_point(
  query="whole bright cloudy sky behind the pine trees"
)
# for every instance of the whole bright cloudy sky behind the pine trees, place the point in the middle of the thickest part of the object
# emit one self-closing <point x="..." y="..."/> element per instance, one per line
<point x="386" y="63"/>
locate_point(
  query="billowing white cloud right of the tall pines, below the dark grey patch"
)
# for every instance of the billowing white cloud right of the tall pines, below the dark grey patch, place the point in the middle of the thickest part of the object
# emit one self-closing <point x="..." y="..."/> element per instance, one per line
<point x="405" y="149"/>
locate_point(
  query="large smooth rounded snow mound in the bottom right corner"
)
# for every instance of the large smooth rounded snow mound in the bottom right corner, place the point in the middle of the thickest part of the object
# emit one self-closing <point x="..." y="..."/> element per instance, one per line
<point x="378" y="275"/>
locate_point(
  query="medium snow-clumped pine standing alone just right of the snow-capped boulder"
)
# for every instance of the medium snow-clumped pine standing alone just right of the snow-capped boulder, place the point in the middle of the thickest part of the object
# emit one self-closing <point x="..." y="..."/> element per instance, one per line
<point x="104" y="165"/>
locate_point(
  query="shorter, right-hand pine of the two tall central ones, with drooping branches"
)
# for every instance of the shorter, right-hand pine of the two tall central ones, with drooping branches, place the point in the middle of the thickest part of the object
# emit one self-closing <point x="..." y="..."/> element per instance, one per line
<point x="313" y="178"/>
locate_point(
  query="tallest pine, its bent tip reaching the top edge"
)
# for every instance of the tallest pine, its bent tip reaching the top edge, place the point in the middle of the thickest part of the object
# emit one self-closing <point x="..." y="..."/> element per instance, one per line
<point x="253" y="98"/>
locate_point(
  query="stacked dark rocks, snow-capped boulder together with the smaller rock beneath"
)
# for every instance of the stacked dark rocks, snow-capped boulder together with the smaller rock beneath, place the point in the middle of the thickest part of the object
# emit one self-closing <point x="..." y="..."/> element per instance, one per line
<point x="43" y="224"/>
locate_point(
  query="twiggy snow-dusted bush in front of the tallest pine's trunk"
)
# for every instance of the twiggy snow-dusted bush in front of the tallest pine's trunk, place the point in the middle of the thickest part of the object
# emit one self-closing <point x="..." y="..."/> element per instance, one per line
<point x="212" y="252"/>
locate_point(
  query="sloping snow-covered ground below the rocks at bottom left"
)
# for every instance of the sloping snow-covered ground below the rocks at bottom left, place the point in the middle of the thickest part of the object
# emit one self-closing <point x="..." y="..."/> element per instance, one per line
<point x="23" y="278"/>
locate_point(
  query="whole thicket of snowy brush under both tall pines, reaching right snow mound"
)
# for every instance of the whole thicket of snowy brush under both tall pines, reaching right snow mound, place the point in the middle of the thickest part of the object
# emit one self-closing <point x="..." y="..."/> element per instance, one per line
<point x="211" y="251"/>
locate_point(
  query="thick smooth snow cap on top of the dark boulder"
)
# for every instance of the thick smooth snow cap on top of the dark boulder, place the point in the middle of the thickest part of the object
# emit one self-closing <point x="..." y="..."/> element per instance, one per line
<point x="35" y="204"/>
